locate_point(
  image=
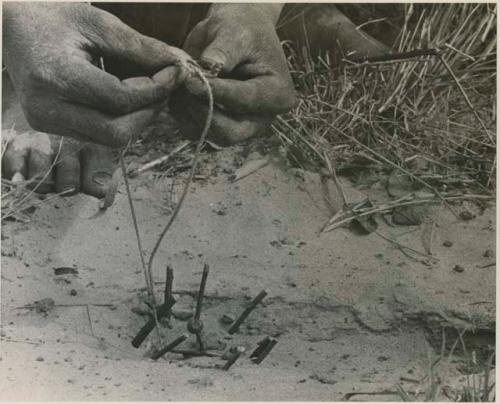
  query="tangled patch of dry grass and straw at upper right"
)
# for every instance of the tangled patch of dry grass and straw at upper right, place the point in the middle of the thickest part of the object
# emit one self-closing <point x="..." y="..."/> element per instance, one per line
<point x="408" y="116"/>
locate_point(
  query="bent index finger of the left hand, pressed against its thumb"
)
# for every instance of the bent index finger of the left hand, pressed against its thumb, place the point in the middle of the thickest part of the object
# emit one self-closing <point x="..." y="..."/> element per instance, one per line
<point x="82" y="82"/>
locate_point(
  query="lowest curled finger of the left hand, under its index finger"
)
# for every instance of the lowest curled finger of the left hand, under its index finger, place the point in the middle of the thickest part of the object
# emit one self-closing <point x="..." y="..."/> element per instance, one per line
<point x="83" y="123"/>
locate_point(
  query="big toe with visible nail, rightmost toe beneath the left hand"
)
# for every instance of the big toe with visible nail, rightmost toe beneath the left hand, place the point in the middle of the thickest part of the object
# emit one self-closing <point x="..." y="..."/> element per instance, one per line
<point x="97" y="169"/>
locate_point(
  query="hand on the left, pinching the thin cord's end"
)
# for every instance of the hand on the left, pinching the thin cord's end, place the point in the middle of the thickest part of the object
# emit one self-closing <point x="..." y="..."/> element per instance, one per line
<point x="51" y="52"/>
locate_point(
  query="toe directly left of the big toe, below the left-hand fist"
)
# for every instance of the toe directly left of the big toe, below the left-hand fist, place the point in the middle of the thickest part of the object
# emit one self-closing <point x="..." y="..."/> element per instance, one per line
<point x="67" y="168"/>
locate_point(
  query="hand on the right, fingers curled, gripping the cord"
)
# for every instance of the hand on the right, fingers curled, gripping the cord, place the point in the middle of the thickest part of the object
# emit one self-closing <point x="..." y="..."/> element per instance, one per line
<point x="254" y="84"/>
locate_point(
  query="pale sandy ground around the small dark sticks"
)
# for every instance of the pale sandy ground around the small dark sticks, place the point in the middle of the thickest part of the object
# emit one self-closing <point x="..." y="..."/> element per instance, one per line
<point x="352" y="313"/>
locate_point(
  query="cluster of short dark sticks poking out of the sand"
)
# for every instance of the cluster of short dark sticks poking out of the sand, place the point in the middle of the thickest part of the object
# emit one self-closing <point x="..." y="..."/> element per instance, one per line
<point x="195" y="326"/>
